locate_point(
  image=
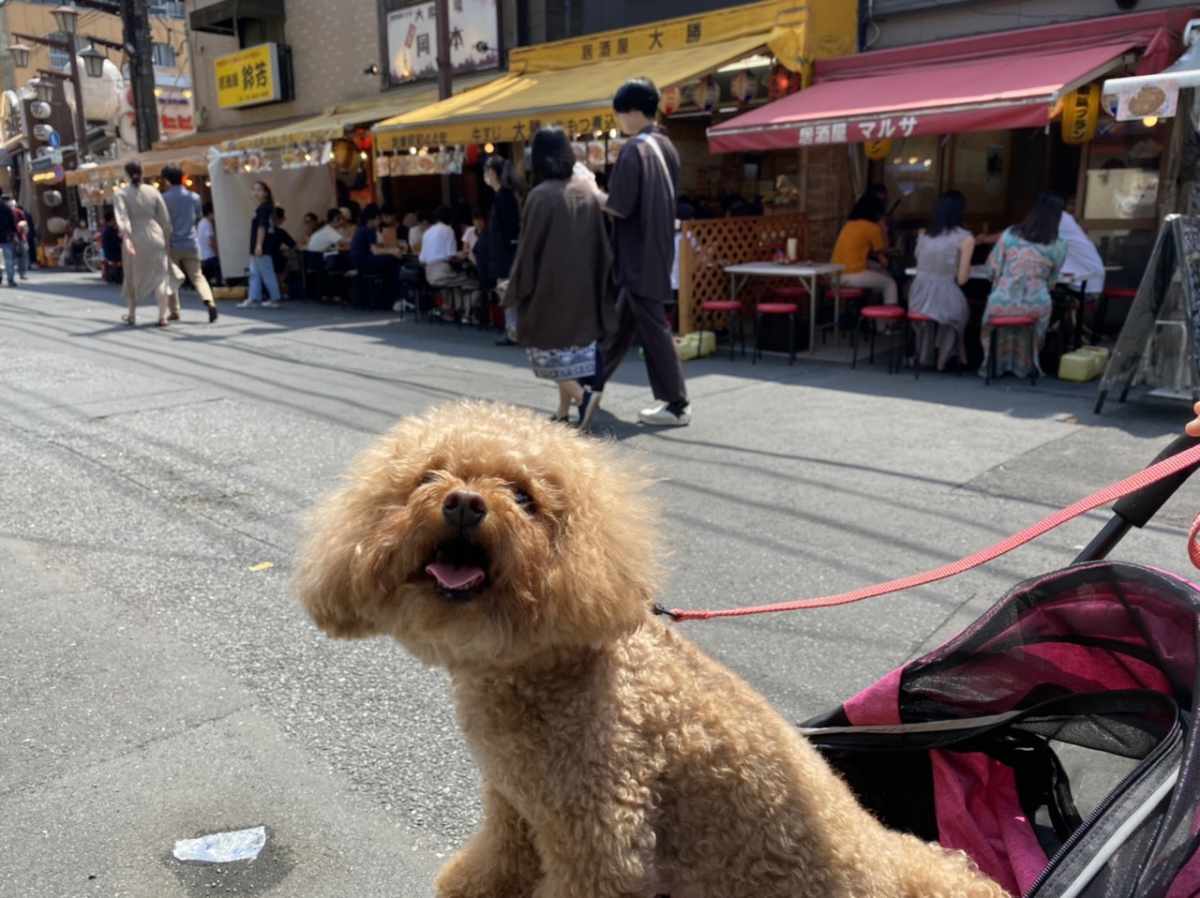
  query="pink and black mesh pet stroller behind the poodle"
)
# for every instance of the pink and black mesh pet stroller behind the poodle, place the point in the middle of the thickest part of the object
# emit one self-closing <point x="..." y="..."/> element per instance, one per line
<point x="1054" y="741"/>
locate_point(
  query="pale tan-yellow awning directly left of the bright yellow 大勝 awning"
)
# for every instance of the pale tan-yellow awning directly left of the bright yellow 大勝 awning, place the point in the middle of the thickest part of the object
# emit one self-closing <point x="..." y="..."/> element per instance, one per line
<point x="334" y="123"/>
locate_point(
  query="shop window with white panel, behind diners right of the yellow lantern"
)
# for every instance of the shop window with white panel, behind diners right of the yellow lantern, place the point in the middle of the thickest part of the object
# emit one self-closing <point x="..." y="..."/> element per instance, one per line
<point x="1124" y="173"/>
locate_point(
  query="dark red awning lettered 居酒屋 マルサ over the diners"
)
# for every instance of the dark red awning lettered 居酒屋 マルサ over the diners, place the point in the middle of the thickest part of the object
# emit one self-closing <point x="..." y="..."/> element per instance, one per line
<point x="974" y="85"/>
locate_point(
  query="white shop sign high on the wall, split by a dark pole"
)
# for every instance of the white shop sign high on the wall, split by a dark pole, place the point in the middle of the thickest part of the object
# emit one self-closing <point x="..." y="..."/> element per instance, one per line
<point x="413" y="39"/>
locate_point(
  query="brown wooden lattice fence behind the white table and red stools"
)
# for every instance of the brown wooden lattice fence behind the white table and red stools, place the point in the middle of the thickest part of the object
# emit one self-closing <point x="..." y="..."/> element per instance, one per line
<point x="709" y="247"/>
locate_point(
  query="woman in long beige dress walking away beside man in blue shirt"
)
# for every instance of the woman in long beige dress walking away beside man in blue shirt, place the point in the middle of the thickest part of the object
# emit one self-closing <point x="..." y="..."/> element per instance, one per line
<point x="146" y="225"/>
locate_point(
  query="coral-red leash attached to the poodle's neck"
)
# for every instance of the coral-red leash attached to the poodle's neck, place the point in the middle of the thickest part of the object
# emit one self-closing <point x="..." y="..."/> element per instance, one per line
<point x="1113" y="493"/>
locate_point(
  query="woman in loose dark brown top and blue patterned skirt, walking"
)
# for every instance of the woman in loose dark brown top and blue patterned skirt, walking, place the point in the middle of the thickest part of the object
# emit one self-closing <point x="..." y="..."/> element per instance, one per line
<point x="560" y="280"/>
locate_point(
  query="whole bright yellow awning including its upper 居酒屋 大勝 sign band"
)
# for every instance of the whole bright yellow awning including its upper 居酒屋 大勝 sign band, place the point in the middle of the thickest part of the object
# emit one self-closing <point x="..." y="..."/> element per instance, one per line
<point x="572" y="83"/>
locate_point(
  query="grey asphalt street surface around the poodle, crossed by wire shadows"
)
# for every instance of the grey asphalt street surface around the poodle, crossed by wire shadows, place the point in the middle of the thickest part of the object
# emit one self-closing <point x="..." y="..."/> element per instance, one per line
<point x="158" y="681"/>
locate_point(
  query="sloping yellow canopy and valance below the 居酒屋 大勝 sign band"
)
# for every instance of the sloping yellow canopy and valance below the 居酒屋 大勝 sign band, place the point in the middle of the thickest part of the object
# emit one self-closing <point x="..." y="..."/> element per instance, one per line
<point x="580" y="100"/>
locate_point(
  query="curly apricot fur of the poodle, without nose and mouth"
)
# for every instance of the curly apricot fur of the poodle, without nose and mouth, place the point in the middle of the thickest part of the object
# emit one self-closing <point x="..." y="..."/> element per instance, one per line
<point x="619" y="762"/>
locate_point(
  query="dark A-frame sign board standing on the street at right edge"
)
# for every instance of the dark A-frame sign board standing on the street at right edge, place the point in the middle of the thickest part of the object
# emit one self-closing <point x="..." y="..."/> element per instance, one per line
<point x="1159" y="344"/>
